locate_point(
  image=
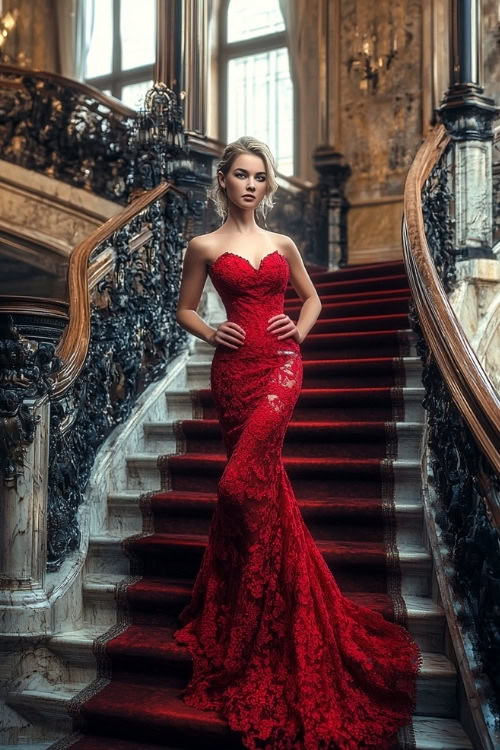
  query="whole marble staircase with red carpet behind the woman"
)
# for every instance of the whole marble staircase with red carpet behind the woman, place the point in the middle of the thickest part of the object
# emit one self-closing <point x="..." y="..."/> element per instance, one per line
<point x="358" y="419"/>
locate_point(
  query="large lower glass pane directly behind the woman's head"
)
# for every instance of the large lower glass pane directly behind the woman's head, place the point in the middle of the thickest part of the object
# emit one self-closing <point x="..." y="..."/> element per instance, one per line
<point x="260" y="103"/>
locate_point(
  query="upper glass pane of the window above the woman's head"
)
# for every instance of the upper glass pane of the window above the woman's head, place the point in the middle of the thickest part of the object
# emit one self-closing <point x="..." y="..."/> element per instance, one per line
<point x="246" y="20"/>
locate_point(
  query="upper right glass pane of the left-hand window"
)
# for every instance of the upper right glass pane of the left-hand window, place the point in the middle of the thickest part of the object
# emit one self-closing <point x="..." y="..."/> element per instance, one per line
<point x="138" y="33"/>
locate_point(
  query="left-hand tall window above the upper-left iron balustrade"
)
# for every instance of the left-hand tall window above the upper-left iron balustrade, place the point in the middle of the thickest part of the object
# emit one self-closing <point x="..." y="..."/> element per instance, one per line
<point x="122" y="49"/>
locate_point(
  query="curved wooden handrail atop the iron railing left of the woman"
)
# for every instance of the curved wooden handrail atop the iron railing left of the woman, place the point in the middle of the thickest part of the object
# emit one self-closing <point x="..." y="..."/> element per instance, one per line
<point x="73" y="347"/>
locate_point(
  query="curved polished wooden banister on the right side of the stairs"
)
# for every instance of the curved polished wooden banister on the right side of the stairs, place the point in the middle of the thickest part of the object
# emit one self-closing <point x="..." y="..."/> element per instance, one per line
<point x="469" y="385"/>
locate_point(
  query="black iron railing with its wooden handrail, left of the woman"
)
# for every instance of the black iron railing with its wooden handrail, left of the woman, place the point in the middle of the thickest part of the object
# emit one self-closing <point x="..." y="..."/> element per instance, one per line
<point x="113" y="348"/>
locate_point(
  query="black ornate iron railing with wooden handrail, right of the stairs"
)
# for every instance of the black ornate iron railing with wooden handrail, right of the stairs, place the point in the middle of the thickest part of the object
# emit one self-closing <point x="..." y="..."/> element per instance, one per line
<point x="463" y="421"/>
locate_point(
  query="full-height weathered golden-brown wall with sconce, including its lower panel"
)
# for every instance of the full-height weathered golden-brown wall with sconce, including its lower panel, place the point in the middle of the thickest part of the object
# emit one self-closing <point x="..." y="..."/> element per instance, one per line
<point x="379" y="102"/>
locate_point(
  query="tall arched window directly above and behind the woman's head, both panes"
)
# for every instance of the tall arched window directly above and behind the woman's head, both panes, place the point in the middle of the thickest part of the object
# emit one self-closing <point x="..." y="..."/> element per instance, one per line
<point x="256" y="93"/>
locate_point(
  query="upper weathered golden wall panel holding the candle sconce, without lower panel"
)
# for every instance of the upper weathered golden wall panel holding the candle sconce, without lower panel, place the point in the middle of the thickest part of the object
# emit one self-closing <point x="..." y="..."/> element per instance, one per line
<point x="380" y="92"/>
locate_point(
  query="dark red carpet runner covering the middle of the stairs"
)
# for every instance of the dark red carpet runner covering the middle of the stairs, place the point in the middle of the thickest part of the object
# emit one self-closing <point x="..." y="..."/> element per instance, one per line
<point x="341" y="432"/>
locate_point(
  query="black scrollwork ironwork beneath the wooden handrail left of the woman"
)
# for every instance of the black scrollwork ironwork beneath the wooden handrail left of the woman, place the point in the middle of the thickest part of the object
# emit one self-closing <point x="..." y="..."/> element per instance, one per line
<point x="134" y="335"/>
